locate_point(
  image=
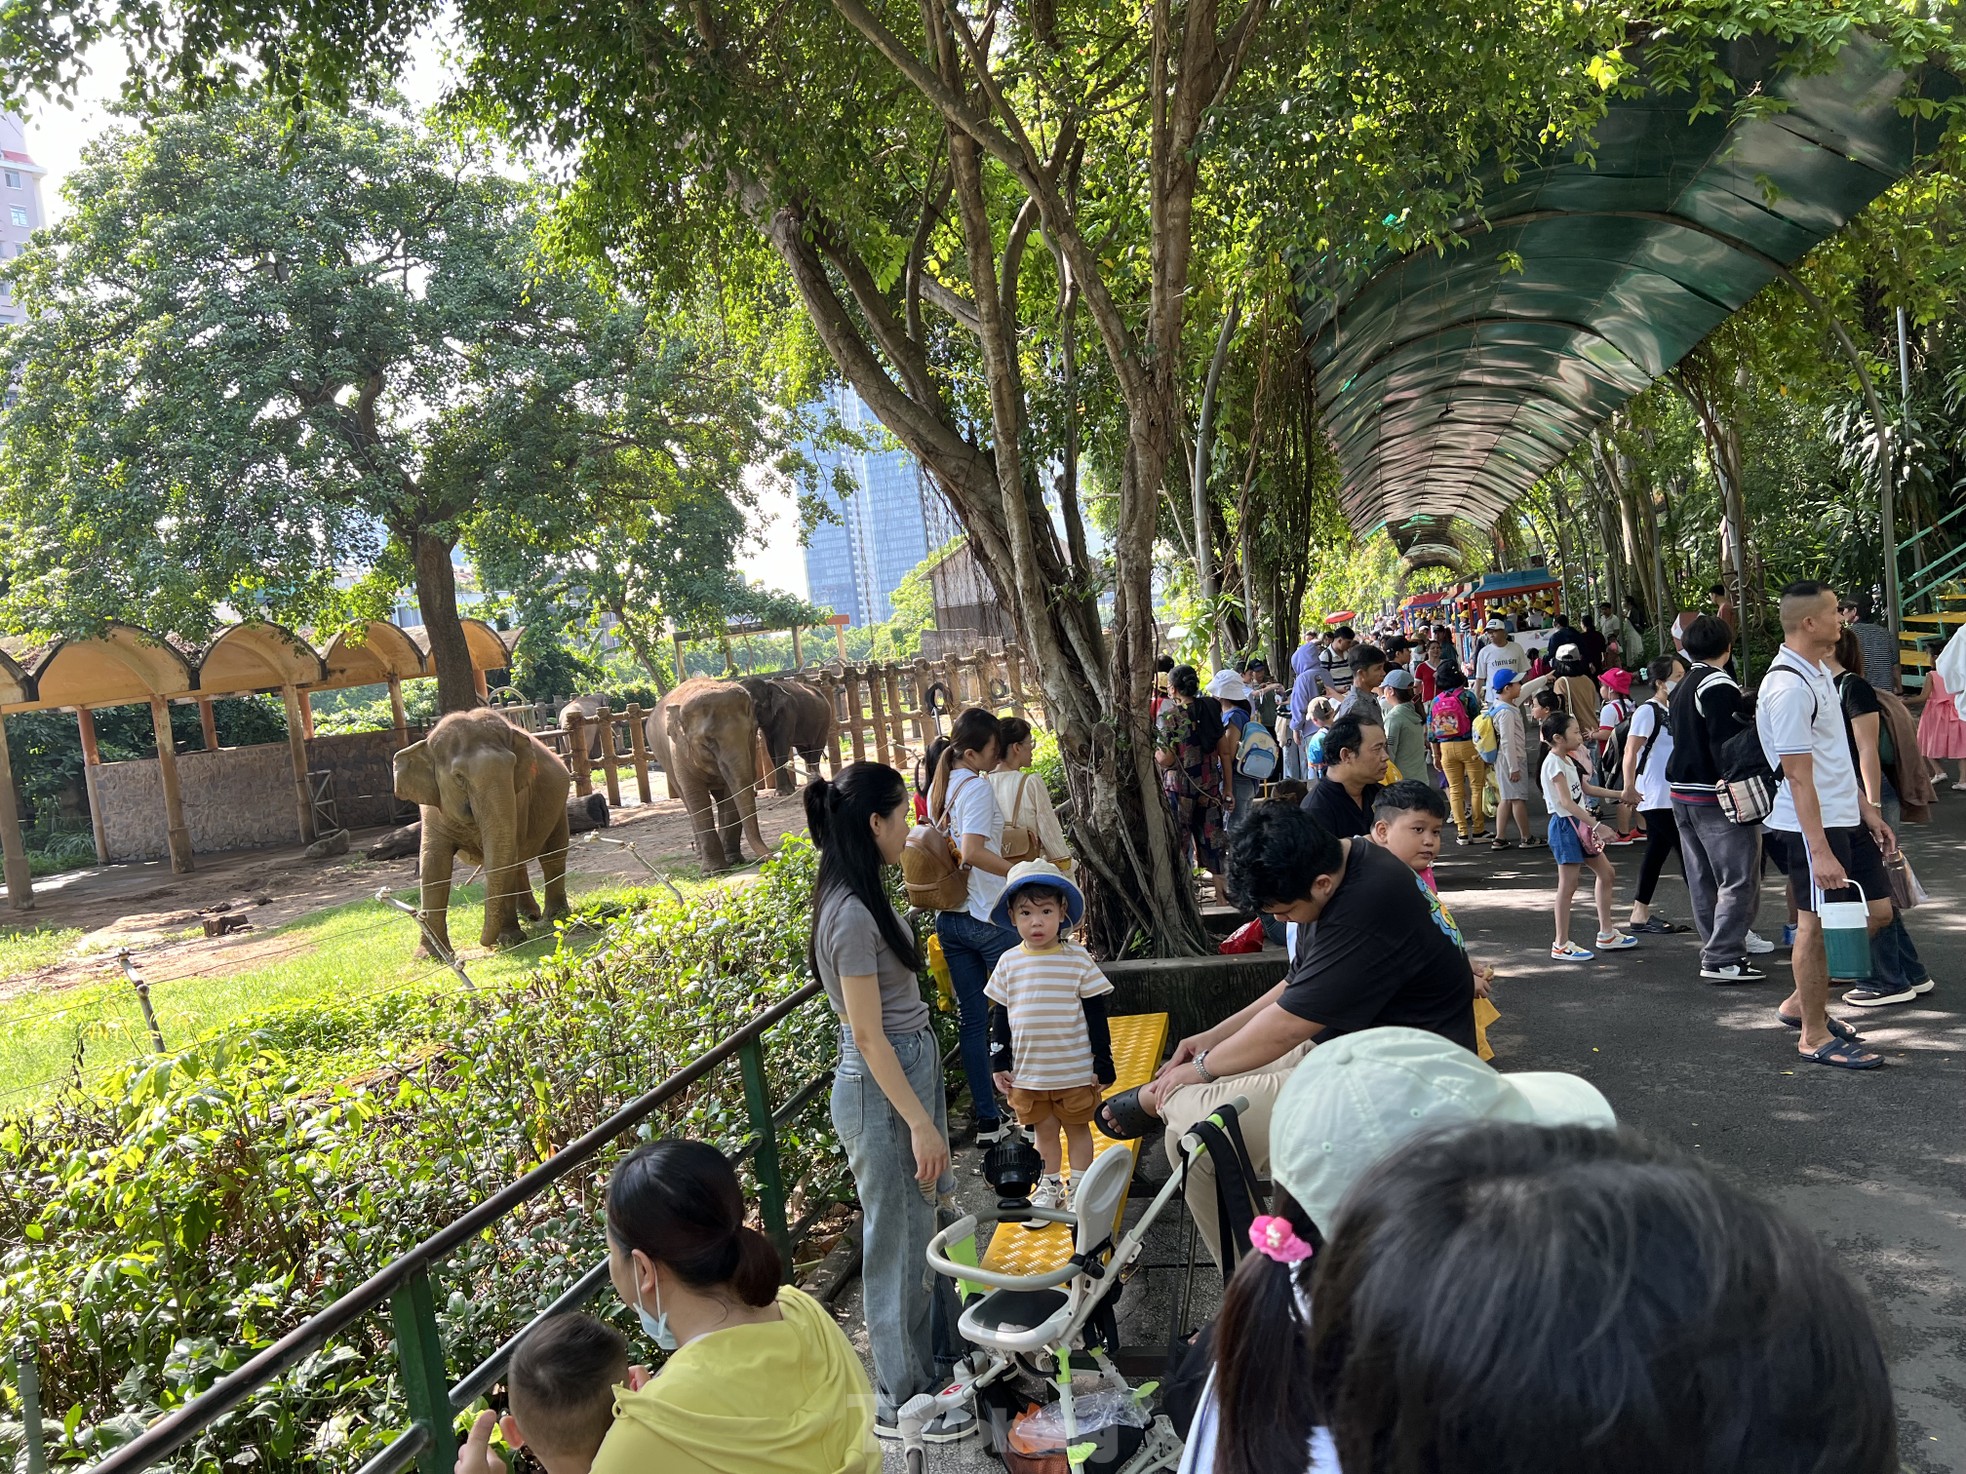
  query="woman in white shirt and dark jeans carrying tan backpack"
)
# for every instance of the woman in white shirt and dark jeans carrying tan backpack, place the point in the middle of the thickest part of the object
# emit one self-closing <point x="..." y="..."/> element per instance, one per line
<point x="962" y="801"/>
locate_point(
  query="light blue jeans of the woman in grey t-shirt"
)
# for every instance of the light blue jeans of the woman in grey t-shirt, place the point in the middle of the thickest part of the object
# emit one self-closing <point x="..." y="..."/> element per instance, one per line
<point x="911" y="1306"/>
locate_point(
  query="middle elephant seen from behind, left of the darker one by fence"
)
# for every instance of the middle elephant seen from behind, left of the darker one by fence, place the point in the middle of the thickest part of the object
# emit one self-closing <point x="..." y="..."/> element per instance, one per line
<point x="705" y="736"/>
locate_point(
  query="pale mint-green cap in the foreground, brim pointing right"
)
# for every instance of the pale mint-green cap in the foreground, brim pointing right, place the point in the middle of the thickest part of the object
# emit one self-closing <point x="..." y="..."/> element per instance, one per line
<point x="1356" y="1100"/>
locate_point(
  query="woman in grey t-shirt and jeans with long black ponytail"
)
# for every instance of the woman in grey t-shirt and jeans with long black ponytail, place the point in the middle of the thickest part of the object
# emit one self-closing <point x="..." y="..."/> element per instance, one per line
<point x="890" y="1105"/>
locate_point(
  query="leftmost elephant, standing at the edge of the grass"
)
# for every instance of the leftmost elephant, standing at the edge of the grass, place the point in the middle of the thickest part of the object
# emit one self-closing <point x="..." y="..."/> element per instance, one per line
<point x="498" y="797"/>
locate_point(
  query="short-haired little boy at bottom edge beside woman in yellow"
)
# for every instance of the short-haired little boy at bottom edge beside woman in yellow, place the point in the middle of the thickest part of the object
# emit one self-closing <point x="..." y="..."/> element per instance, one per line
<point x="561" y="1392"/>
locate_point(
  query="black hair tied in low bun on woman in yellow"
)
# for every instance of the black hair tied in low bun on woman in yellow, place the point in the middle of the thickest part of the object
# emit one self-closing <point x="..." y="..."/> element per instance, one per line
<point x="679" y="1204"/>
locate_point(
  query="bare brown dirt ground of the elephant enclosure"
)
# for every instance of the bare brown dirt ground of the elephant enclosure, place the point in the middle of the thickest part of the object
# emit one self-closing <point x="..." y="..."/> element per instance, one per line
<point x="146" y="907"/>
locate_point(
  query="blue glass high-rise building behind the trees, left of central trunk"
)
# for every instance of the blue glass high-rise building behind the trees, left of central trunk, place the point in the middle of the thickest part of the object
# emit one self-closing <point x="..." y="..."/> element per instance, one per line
<point x="888" y="526"/>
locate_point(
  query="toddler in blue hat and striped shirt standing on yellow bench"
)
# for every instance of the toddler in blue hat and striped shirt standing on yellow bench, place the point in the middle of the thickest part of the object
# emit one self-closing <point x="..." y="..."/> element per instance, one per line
<point x="1049" y="1027"/>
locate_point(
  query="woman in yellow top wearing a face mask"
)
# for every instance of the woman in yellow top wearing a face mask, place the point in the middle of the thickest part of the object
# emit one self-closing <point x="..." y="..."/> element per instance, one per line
<point x="760" y="1379"/>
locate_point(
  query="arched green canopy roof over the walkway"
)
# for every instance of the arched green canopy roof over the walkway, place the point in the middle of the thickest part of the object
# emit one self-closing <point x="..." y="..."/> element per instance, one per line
<point x="1454" y="382"/>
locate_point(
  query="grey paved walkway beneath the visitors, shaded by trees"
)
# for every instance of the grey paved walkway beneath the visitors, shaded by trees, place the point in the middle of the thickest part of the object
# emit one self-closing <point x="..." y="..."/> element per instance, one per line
<point x="1877" y="1162"/>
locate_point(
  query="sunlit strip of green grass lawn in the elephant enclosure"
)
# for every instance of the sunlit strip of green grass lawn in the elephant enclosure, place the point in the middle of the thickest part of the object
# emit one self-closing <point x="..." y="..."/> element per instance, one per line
<point x="337" y="954"/>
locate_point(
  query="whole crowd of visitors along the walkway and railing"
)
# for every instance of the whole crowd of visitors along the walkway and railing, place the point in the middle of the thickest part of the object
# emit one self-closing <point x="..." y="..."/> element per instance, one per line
<point x="1479" y="1271"/>
